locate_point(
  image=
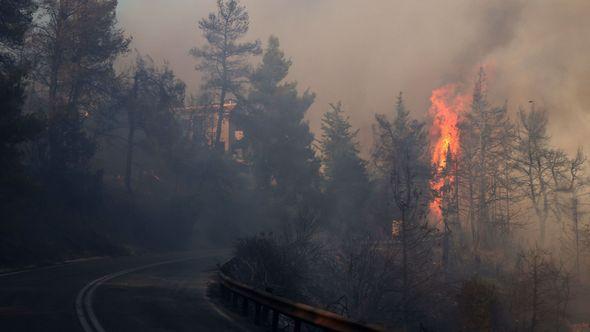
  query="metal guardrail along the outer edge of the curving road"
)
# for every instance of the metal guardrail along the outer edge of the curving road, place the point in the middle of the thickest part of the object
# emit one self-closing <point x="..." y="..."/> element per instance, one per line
<point x="265" y="303"/>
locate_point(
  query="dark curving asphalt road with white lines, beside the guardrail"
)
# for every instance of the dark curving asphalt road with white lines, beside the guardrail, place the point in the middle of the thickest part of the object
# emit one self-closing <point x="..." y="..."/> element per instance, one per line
<point x="147" y="293"/>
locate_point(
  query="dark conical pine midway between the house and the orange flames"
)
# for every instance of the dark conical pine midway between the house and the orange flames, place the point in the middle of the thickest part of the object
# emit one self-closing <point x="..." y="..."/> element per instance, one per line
<point x="344" y="170"/>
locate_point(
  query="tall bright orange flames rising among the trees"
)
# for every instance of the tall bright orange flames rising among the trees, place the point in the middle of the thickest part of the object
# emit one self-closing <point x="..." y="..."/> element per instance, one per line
<point x="447" y="104"/>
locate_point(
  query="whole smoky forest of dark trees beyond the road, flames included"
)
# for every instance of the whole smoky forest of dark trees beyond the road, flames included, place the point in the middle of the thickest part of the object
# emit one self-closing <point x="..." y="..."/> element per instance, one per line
<point x="462" y="217"/>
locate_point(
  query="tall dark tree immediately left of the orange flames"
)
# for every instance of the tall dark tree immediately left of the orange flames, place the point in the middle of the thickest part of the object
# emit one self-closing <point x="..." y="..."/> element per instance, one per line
<point x="402" y="152"/>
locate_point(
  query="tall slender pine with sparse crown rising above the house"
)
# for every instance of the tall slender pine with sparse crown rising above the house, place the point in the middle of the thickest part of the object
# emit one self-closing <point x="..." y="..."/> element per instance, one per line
<point x="224" y="58"/>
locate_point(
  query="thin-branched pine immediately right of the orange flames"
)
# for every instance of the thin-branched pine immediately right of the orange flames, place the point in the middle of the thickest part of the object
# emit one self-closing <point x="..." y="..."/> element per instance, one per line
<point x="486" y="134"/>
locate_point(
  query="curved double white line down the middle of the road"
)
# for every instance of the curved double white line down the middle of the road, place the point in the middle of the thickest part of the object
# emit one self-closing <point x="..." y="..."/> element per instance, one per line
<point x="84" y="309"/>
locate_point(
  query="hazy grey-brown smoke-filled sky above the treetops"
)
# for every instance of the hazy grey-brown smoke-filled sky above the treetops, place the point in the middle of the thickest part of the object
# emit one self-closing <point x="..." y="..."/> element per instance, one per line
<point x="363" y="52"/>
